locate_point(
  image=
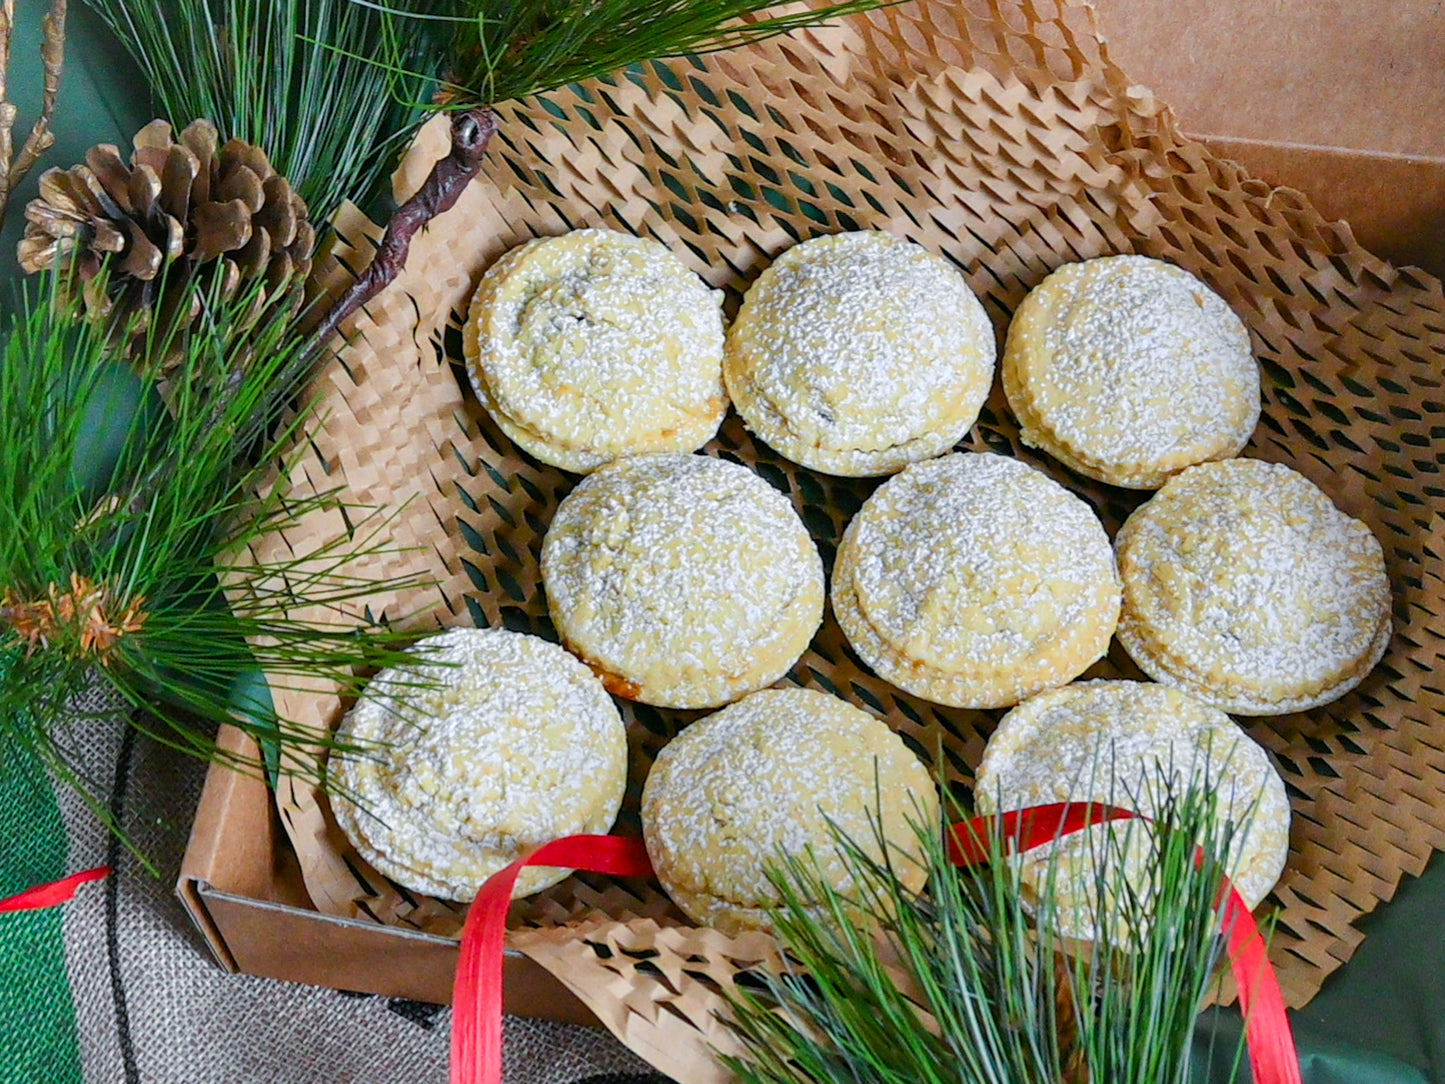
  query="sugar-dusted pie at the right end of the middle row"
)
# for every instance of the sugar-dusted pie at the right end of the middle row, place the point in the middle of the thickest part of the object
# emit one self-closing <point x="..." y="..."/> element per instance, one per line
<point x="1248" y="588"/>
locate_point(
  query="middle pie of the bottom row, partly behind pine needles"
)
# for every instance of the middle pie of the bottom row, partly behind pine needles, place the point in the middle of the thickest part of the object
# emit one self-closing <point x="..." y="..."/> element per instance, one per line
<point x="764" y="780"/>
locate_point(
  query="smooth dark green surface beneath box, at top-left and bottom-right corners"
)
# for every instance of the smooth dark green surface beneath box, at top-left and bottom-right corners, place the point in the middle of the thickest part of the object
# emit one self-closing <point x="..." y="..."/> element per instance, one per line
<point x="1378" y="1021"/>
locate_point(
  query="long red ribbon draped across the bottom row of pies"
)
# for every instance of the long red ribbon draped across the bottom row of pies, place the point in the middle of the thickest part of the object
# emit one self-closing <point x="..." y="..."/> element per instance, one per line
<point x="478" y="992"/>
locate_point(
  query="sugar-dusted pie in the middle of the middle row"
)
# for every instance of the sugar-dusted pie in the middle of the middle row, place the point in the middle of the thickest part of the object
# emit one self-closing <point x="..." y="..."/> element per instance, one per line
<point x="976" y="580"/>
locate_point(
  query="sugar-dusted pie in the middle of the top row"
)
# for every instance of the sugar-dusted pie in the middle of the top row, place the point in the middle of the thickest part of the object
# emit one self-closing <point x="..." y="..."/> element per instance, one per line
<point x="860" y="353"/>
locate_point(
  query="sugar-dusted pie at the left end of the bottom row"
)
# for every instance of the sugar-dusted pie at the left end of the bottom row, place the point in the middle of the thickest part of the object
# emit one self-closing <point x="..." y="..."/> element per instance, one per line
<point x="493" y="745"/>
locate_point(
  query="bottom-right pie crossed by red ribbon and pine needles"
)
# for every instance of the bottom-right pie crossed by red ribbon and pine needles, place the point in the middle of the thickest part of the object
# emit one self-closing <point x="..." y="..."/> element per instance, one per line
<point x="1118" y="744"/>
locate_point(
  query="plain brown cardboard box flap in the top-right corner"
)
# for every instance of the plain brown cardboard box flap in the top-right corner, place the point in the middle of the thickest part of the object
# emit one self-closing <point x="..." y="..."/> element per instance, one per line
<point x="1340" y="99"/>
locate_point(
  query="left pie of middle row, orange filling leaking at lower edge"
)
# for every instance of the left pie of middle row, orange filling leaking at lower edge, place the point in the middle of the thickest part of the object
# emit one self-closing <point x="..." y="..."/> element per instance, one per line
<point x="681" y="580"/>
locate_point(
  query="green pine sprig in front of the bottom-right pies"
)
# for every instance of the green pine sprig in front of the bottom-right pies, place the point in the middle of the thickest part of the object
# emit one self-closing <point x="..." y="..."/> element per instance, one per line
<point x="967" y="984"/>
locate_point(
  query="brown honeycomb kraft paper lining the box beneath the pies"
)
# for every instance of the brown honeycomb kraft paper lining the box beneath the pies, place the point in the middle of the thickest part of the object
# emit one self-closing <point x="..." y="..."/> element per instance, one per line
<point x="1001" y="137"/>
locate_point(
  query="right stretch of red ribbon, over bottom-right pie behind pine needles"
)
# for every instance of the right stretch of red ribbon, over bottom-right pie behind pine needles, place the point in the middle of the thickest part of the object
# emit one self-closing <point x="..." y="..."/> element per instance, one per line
<point x="1274" y="1057"/>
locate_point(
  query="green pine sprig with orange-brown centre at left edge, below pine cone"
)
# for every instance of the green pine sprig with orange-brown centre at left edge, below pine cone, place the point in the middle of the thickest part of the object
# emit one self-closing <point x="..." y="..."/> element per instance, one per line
<point x="141" y="501"/>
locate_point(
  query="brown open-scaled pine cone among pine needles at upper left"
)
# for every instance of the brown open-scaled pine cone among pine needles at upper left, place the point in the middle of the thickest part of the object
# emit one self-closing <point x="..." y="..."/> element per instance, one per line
<point x="165" y="223"/>
